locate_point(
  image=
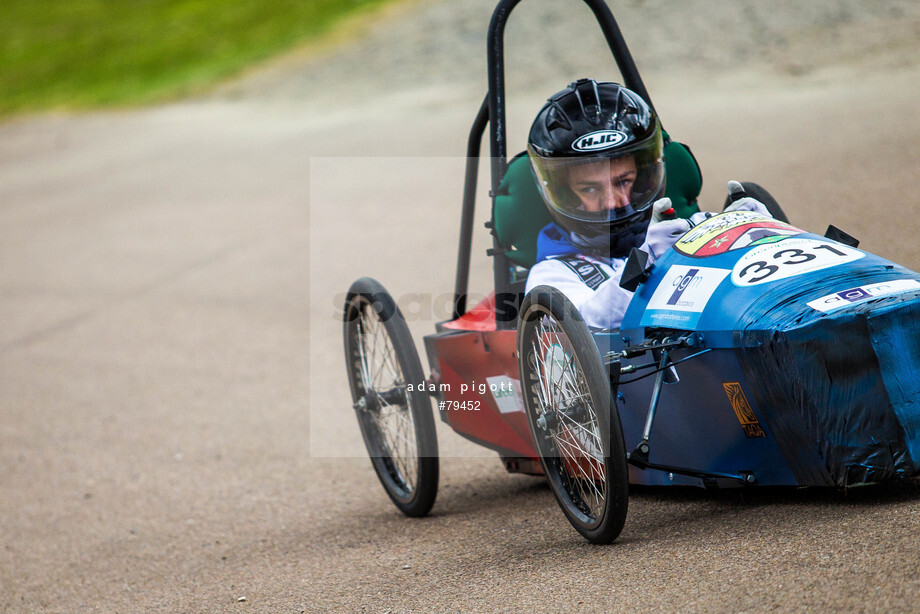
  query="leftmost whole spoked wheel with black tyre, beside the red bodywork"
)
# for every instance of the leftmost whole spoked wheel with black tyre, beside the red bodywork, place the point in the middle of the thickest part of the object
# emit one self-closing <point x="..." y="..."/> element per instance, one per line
<point x="397" y="424"/>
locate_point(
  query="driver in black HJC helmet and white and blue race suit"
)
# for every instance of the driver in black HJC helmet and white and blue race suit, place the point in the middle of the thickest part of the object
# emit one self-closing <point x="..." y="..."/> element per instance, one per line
<point x="596" y="151"/>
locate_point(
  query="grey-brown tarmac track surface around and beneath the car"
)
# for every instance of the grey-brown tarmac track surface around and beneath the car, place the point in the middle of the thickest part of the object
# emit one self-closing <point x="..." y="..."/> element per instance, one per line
<point x="175" y="427"/>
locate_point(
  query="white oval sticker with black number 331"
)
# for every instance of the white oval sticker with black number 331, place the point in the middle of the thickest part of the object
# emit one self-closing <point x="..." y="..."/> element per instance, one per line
<point x="789" y="258"/>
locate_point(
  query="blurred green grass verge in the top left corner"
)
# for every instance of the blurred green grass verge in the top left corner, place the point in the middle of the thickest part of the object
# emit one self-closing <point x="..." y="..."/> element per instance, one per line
<point x="79" y="54"/>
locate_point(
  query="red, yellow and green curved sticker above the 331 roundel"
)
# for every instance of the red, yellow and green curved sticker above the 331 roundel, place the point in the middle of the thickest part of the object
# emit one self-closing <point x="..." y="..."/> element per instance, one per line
<point x="732" y="230"/>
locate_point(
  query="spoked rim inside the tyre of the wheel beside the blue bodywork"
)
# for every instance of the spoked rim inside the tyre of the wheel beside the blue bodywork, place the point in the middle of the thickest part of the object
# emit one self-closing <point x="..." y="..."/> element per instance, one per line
<point x="567" y="425"/>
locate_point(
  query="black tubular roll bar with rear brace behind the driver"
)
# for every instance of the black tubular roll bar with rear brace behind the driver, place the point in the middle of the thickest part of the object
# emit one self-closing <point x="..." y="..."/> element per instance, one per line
<point x="493" y="107"/>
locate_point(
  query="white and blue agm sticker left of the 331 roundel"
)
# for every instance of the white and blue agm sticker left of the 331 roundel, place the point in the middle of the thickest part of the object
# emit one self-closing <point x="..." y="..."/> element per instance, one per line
<point x="682" y="295"/>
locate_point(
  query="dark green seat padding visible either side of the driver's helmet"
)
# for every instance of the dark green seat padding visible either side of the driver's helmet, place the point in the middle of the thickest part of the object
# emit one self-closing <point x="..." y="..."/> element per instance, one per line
<point x="520" y="213"/>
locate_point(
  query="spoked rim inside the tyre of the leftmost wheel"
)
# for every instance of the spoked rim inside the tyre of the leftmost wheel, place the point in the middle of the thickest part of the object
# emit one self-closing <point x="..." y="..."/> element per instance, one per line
<point x="388" y="420"/>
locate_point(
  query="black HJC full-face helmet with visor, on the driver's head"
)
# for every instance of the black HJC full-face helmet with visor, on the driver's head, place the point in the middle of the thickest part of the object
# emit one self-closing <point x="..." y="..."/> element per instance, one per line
<point x="596" y="149"/>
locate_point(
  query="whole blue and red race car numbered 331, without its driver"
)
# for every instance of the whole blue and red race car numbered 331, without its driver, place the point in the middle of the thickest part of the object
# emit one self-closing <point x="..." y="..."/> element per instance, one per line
<point x="752" y="353"/>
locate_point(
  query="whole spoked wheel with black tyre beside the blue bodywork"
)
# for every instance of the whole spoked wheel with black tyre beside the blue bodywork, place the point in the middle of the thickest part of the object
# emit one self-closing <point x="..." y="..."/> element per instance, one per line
<point x="574" y="424"/>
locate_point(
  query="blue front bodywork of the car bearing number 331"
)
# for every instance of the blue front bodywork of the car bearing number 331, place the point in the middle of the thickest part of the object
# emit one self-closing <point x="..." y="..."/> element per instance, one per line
<point x="806" y="372"/>
